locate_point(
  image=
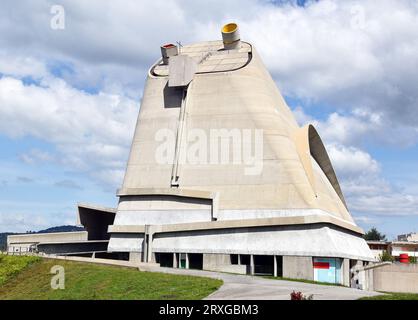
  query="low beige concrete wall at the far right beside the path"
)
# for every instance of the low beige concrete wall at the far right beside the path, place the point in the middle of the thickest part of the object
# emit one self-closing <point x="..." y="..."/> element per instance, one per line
<point x="396" y="278"/>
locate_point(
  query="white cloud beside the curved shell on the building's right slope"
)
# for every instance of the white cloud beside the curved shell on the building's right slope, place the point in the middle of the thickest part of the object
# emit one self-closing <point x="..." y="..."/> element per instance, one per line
<point x="360" y="175"/>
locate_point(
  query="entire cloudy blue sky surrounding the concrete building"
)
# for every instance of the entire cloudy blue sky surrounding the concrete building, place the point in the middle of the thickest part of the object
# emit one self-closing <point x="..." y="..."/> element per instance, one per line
<point x="69" y="98"/>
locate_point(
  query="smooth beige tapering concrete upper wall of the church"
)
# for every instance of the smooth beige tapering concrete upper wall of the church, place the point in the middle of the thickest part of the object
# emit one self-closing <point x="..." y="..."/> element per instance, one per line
<point x="244" y="99"/>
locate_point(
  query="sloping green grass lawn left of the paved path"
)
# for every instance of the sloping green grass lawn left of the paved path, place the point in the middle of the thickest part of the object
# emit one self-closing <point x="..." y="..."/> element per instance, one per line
<point x="84" y="281"/>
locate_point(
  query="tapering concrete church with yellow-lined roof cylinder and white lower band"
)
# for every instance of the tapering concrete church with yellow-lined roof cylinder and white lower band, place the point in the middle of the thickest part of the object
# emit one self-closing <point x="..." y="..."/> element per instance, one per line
<point x="191" y="198"/>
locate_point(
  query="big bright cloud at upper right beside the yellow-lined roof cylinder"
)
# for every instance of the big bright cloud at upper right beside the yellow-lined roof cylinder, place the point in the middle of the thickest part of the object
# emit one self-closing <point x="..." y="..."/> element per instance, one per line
<point x="320" y="53"/>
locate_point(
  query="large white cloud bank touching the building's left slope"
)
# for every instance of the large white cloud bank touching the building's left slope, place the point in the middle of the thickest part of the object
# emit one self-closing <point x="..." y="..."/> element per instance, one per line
<point x="91" y="133"/>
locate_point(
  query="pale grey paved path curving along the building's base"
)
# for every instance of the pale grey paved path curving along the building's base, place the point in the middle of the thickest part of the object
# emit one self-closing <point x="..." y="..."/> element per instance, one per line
<point x="240" y="287"/>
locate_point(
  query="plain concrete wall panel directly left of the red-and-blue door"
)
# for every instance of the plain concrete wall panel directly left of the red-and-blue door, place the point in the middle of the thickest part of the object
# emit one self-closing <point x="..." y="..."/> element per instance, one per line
<point x="298" y="267"/>
